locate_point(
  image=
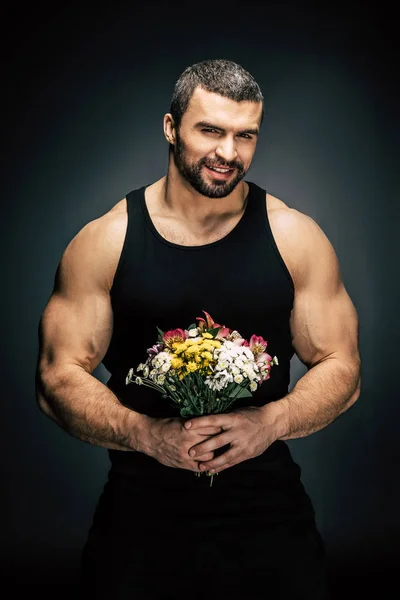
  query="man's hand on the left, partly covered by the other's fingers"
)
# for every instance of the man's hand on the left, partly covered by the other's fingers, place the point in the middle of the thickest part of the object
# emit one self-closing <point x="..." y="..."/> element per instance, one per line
<point x="167" y="440"/>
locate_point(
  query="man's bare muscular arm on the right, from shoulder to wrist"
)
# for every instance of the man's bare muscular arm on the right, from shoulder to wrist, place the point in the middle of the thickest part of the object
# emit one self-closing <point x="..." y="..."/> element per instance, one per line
<point x="325" y="336"/>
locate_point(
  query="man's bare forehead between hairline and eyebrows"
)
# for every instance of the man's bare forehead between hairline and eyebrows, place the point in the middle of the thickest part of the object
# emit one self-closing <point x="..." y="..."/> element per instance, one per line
<point x="216" y="109"/>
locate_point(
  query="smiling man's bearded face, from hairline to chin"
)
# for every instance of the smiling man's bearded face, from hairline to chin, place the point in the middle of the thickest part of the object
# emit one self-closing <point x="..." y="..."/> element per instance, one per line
<point x="216" y="133"/>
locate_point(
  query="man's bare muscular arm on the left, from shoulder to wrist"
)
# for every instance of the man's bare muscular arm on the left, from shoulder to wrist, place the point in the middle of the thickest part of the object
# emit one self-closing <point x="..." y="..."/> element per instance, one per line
<point x="74" y="334"/>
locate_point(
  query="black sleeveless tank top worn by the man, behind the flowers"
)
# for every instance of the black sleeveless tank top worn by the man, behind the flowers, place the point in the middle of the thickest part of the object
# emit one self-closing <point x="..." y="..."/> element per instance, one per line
<point x="241" y="280"/>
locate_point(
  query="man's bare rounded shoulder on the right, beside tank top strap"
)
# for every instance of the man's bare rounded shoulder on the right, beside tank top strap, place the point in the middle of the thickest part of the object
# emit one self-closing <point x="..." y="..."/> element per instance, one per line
<point x="299" y="239"/>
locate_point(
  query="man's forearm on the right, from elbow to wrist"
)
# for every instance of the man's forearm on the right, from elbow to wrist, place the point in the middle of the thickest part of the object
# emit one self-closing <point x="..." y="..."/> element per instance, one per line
<point x="318" y="398"/>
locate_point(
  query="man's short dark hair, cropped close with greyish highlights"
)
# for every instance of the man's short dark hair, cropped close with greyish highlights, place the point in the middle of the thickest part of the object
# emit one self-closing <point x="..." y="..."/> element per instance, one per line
<point x="220" y="76"/>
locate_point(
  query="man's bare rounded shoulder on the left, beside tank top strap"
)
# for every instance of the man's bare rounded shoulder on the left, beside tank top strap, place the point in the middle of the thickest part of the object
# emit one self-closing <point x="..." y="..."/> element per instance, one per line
<point x="95" y="250"/>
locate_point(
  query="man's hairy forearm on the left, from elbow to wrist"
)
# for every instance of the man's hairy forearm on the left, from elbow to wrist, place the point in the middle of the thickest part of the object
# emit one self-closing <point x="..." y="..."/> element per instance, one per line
<point x="88" y="410"/>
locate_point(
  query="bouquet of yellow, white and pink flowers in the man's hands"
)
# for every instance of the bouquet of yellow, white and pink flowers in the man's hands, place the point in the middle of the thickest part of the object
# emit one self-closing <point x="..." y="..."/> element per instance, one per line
<point x="203" y="369"/>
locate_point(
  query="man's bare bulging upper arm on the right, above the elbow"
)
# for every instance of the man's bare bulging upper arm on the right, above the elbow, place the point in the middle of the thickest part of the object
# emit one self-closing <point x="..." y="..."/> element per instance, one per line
<point x="324" y="321"/>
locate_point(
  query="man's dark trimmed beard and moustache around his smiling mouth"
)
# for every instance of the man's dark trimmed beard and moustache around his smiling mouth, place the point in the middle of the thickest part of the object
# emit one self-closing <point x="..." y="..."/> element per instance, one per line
<point x="193" y="174"/>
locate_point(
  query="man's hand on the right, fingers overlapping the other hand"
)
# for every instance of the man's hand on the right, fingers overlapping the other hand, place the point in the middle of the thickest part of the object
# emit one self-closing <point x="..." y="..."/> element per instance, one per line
<point x="245" y="429"/>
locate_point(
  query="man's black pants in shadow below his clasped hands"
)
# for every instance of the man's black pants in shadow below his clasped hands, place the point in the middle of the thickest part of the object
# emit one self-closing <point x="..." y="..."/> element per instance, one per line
<point x="153" y="541"/>
